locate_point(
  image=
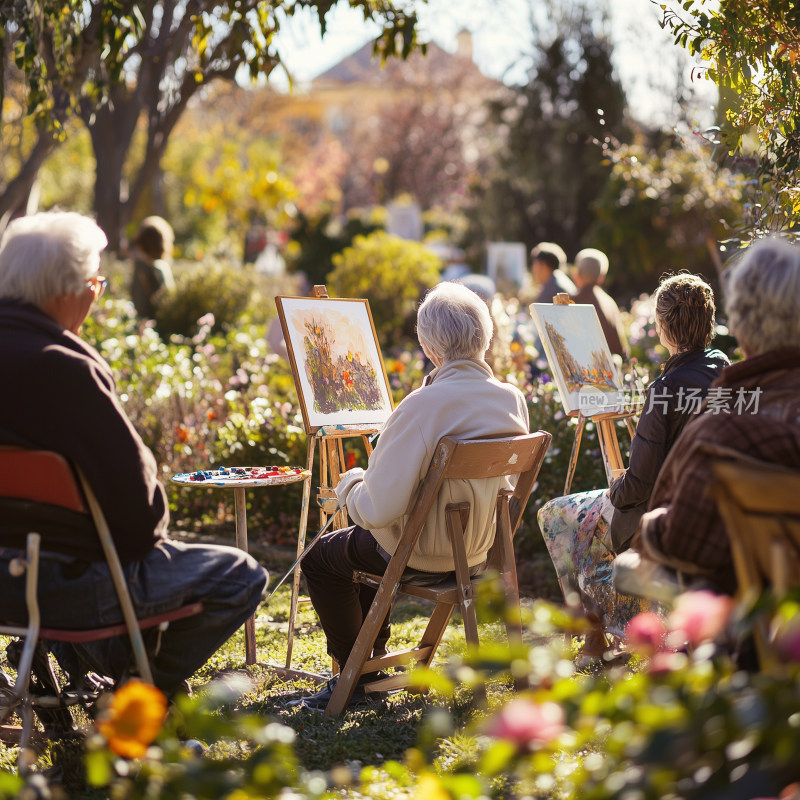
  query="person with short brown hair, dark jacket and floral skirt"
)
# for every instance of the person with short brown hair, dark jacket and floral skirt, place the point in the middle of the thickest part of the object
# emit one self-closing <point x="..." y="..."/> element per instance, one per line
<point x="584" y="531"/>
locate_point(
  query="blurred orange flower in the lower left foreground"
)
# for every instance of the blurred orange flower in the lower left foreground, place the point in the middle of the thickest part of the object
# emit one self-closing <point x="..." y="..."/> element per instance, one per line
<point x="134" y="719"/>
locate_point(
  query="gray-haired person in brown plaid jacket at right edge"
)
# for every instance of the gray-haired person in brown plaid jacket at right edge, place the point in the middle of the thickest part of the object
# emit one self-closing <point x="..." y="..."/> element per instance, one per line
<point x="753" y="408"/>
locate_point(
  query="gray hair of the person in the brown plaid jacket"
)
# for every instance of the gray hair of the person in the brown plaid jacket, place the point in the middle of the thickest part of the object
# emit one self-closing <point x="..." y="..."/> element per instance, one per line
<point x="763" y="296"/>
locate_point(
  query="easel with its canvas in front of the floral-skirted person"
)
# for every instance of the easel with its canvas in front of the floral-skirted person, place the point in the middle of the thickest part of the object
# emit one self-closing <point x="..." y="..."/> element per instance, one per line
<point x="587" y="377"/>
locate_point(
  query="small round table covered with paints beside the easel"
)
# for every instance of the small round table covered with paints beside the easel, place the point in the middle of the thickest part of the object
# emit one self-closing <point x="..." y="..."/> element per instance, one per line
<point x="239" y="479"/>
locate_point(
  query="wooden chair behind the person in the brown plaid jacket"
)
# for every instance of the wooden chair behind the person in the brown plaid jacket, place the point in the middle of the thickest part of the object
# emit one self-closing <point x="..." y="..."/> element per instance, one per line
<point x="760" y="506"/>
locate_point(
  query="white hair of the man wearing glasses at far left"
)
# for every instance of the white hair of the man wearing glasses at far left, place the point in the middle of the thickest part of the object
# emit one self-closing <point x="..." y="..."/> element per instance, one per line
<point x="48" y="255"/>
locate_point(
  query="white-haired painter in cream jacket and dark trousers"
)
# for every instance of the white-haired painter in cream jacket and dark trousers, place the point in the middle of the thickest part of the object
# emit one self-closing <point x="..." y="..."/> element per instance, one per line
<point x="459" y="398"/>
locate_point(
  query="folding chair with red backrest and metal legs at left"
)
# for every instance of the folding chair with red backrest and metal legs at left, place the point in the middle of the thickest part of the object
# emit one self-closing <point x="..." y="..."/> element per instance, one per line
<point x="44" y="477"/>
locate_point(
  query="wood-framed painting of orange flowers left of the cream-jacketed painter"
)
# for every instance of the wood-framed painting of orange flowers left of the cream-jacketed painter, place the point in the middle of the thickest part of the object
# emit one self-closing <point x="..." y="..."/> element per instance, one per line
<point x="336" y="361"/>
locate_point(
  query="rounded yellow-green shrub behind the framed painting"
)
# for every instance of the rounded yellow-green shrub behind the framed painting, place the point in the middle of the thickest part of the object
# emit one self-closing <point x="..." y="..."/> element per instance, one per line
<point x="392" y="273"/>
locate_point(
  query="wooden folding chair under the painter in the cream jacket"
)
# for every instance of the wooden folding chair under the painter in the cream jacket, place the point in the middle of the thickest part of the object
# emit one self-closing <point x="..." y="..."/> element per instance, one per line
<point x="453" y="459"/>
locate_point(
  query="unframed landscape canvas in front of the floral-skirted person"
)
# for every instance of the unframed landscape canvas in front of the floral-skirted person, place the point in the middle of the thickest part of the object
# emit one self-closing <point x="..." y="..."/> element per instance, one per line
<point x="579" y="358"/>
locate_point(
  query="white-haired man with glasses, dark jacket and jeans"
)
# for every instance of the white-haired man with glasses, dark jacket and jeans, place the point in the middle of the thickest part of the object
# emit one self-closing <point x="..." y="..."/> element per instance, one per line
<point x="59" y="394"/>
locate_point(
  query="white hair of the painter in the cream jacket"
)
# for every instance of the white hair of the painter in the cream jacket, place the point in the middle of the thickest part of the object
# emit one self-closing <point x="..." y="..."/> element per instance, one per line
<point x="454" y="323"/>
